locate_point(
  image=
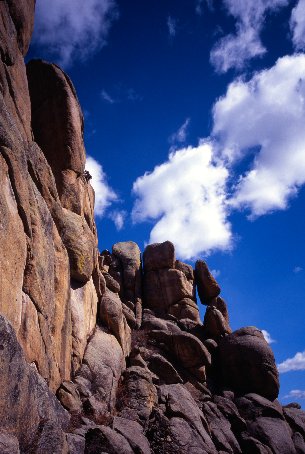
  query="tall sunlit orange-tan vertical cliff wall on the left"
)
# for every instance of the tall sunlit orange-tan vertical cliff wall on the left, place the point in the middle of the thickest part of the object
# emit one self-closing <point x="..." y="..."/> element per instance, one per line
<point x="47" y="234"/>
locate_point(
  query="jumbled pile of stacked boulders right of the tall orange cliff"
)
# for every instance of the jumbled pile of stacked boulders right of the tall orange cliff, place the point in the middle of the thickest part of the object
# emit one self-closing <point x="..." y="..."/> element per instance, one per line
<point x="183" y="386"/>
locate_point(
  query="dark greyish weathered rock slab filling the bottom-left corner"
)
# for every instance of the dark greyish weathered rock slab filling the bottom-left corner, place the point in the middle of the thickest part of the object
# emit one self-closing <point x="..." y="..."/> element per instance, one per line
<point x="29" y="412"/>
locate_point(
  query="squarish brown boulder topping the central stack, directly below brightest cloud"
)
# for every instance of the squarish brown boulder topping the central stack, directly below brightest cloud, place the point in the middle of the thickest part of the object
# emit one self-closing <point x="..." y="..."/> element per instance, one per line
<point x="158" y="256"/>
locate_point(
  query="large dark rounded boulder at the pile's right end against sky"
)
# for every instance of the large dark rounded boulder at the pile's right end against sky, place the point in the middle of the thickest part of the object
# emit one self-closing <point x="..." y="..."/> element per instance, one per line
<point x="247" y="363"/>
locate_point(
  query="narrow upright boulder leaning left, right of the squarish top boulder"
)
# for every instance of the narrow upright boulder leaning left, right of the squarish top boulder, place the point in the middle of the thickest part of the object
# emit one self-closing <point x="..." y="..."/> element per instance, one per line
<point x="206" y="284"/>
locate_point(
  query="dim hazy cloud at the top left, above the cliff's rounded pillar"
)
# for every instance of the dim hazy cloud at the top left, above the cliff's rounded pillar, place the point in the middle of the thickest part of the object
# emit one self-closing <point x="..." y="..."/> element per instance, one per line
<point x="72" y="28"/>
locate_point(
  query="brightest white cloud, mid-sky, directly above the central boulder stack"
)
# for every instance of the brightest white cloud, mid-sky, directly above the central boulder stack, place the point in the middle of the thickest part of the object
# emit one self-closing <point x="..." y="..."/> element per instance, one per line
<point x="186" y="196"/>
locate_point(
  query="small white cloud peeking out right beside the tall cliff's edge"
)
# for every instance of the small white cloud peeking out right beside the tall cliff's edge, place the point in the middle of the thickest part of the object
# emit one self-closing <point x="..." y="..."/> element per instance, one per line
<point x="104" y="195"/>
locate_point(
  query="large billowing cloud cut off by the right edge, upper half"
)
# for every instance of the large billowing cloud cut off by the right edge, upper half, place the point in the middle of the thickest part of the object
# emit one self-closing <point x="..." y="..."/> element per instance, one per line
<point x="266" y="114"/>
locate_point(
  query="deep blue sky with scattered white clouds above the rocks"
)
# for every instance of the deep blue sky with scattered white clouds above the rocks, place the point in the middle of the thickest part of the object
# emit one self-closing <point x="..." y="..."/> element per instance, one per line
<point x="194" y="127"/>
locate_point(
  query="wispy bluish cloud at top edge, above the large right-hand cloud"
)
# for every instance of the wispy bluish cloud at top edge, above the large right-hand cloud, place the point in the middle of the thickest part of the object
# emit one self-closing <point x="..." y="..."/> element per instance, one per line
<point x="235" y="50"/>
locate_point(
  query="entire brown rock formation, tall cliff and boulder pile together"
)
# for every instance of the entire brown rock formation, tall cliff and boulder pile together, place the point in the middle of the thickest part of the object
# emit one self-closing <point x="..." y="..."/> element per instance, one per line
<point x="106" y="352"/>
